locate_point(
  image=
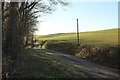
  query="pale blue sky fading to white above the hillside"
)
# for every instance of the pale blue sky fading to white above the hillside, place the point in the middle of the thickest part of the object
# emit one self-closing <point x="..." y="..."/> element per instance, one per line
<point x="91" y="16"/>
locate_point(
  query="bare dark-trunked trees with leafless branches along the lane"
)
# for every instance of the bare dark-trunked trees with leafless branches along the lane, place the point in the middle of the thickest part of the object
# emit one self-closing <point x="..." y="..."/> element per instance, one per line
<point x="20" y="19"/>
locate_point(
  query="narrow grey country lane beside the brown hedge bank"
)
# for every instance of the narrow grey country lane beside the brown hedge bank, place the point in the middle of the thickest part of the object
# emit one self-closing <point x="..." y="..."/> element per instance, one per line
<point x="91" y="69"/>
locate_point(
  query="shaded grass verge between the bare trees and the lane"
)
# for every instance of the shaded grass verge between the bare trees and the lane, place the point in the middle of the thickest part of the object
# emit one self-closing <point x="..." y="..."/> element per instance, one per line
<point x="37" y="64"/>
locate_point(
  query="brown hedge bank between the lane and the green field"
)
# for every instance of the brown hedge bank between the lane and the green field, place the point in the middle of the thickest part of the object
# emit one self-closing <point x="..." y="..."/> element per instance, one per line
<point x="104" y="55"/>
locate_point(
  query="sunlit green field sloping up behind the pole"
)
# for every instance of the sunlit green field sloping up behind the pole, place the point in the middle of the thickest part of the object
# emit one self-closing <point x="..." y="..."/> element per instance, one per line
<point x="101" y="37"/>
